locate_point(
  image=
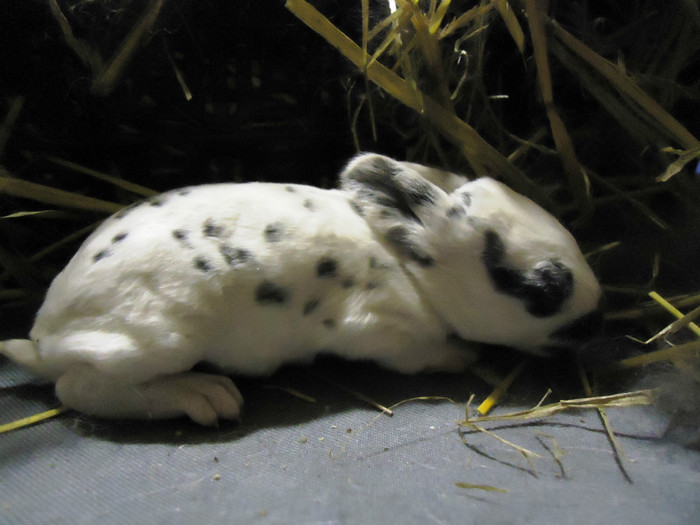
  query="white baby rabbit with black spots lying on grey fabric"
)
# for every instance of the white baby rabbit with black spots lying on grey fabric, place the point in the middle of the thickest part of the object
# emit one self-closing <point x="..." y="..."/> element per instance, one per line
<point x="409" y="266"/>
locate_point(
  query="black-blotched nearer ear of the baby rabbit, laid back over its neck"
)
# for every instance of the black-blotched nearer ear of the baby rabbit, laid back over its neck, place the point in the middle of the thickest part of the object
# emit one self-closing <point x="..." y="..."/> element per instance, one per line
<point x="398" y="202"/>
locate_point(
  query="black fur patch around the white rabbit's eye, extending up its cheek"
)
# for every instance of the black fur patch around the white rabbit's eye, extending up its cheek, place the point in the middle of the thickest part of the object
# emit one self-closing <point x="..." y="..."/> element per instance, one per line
<point x="543" y="289"/>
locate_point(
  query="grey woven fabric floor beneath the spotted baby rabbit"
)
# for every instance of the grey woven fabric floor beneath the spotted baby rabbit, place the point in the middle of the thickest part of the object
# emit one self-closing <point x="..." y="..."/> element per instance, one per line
<point x="339" y="461"/>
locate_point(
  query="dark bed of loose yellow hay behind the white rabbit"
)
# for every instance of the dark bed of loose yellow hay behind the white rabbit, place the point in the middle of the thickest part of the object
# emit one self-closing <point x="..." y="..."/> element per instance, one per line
<point x="590" y="108"/>
